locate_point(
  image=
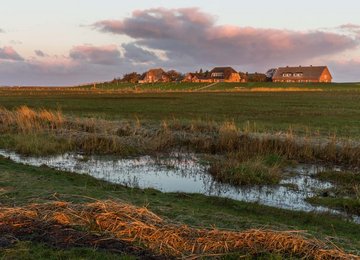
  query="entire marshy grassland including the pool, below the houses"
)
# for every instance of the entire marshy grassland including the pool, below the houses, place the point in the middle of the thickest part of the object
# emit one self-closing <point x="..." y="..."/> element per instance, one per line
<point x="241" y="143"/>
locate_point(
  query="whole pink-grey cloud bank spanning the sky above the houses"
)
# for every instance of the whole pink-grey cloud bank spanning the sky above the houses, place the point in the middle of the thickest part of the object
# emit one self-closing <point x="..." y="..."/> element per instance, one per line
<point x="184" y="39"/>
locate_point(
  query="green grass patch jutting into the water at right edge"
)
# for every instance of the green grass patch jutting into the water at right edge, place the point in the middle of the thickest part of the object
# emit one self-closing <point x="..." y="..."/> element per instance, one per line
<point x="345" y="195"/>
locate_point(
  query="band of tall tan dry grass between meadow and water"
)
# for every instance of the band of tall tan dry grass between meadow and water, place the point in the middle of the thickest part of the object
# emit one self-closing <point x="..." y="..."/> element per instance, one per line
<point x="136" y="137"/>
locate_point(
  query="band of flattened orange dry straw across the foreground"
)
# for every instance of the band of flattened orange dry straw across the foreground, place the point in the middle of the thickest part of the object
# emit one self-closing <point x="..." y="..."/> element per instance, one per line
<point x="140" y="226"/>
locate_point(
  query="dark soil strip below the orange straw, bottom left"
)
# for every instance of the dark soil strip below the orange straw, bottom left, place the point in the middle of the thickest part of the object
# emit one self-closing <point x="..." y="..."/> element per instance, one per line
<point x="65" y="237"/>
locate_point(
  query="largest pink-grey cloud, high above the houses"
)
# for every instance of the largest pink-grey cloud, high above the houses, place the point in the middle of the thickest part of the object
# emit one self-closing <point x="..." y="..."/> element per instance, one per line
<point x="193" y="35"/>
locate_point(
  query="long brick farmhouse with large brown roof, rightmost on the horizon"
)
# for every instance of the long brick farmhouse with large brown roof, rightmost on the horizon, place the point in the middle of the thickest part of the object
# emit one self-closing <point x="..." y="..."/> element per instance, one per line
<point x="303" y="74"/>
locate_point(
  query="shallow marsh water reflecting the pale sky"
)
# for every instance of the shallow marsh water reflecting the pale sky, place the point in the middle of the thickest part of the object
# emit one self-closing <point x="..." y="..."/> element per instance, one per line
<point x="184" y="173"/>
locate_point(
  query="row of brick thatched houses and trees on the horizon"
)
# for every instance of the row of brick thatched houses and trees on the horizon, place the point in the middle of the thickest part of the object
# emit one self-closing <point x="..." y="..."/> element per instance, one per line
<point x="310" y="74"/>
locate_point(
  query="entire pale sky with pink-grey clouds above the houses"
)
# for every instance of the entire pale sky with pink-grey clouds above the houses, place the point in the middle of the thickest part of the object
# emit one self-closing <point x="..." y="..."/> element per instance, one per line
<point x="71" y="42"/>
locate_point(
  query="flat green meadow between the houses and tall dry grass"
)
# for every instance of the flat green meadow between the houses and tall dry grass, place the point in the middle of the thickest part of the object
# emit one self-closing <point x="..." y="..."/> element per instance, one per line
<point x="333" y="110"/>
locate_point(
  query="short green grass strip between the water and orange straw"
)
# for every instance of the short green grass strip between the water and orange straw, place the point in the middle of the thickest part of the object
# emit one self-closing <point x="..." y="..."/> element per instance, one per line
<point x="21" y="185"/>
